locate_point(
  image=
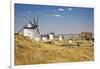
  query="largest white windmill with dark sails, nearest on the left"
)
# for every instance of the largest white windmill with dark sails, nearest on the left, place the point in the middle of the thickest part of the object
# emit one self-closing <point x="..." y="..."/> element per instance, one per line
<point x="31" y="29"/>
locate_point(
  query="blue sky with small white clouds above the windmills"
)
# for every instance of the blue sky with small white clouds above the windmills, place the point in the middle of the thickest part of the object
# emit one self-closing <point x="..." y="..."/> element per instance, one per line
<point x="59" y="19"/>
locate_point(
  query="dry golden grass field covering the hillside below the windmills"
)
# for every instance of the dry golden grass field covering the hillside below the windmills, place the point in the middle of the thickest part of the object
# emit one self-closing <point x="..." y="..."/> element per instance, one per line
<point x="28" y="51"/>
